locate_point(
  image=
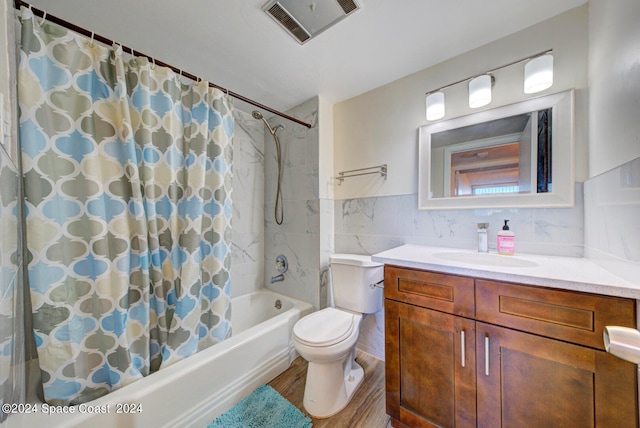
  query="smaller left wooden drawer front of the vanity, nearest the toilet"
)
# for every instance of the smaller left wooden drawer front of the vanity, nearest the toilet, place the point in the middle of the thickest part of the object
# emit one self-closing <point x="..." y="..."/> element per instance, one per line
<point x="442" y="292"/>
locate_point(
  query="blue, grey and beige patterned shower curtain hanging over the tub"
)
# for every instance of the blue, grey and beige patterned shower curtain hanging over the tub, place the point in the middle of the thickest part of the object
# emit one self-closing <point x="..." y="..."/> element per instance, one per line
<point x="128" y="196"/>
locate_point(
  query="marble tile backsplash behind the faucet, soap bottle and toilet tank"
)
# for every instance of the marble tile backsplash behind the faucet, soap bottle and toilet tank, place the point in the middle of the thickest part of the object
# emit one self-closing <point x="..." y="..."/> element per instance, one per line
<point x="371" y="225"/>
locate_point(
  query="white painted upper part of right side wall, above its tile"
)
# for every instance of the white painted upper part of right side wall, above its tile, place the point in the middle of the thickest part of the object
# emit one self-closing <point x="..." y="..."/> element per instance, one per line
<point x="614" y="83"/>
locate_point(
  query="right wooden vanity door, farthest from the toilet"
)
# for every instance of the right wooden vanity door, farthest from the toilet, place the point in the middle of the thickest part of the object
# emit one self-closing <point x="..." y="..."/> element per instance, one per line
<point x="525" y="380"/>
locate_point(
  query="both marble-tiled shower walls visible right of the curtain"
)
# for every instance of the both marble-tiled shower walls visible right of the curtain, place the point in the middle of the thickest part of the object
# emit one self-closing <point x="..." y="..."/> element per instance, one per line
<point x="306" y="235"/>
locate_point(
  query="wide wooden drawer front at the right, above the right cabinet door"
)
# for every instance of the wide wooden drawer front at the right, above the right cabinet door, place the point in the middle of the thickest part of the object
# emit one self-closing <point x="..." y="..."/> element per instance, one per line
<point x="565" y="315"/>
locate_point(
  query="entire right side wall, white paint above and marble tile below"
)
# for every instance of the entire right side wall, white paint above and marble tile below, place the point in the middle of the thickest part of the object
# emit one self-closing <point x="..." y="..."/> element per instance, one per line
<point x="612" y="196"/>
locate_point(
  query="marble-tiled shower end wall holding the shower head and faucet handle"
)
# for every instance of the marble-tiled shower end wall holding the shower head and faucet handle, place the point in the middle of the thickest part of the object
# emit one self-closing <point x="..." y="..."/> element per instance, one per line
<point x="298" y="237"/>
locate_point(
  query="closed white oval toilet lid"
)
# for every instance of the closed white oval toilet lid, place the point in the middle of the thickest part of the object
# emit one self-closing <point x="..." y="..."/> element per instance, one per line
<point x="324" y="328"/>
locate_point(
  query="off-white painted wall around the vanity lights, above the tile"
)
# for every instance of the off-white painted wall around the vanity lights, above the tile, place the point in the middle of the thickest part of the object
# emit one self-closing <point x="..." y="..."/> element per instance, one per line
<point x="380" y="126"/>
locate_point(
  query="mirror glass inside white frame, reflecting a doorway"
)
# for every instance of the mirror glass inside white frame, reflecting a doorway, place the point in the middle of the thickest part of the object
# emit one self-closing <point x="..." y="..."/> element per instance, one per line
<point x="506" y="155"/>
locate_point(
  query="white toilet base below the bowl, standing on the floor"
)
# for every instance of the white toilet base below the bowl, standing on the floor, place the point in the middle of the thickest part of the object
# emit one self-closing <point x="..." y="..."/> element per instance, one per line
<point x="329" y="387"/>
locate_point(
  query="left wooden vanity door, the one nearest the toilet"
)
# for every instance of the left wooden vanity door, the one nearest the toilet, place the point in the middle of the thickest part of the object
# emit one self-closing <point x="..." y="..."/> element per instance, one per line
<point x="430" y="367"/>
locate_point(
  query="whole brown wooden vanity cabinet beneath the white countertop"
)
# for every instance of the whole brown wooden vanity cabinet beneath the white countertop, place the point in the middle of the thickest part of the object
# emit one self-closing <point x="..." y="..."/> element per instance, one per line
<point x="468" y="352"/>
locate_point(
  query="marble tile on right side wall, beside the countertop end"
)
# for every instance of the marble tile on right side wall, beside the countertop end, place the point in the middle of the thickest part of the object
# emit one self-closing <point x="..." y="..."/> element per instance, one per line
<point x="612" y="220"/>
